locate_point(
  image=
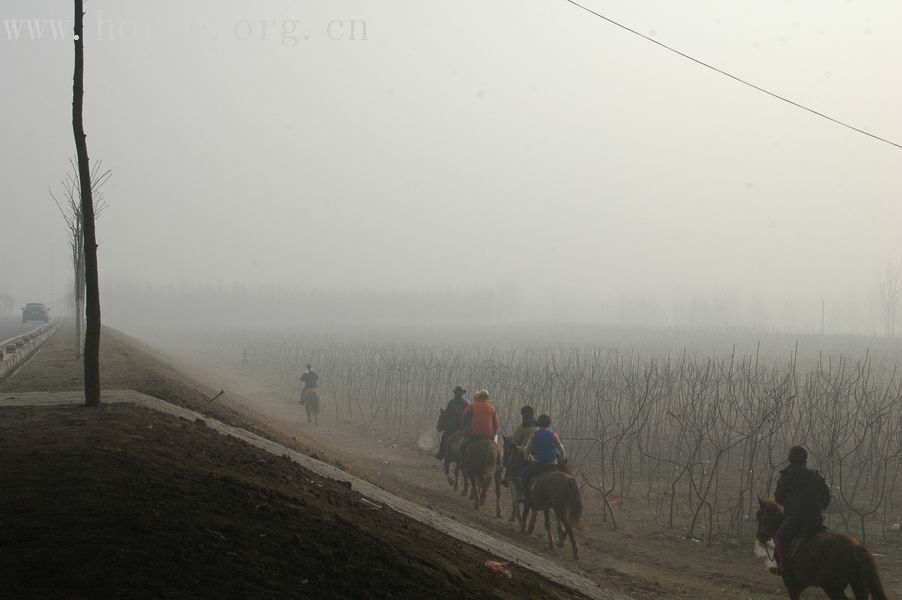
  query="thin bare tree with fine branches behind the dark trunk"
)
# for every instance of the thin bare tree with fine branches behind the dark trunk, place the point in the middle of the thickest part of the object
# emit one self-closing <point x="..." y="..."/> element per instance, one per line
<point x="69" y="206"/>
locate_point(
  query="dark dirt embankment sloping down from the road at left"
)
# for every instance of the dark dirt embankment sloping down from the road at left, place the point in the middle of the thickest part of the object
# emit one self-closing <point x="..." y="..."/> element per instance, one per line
<point x="124" y="502"/>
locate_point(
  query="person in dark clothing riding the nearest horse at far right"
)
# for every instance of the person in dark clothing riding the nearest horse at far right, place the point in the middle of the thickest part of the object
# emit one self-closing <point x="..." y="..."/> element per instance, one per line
<point x="804" y="495"/>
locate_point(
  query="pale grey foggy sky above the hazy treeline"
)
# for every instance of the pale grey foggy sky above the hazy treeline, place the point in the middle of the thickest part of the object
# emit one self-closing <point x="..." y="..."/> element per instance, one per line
<point x="464" y="144"/>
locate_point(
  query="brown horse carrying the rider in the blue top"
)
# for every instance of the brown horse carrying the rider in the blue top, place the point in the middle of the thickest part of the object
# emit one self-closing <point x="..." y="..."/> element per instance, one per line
<point x="556" y="491"/>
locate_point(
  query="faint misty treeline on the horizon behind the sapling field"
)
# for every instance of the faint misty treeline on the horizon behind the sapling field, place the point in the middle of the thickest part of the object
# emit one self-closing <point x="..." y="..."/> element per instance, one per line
<point x="871" y="312"/>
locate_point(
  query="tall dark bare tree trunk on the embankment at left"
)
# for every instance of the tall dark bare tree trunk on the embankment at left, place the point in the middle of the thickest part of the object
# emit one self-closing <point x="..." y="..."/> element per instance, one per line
<point x="92" y="292"/>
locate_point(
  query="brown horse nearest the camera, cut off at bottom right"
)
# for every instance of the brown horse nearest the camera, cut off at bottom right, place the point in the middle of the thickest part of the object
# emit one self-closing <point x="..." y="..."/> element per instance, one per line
<point x="828" y="560"/>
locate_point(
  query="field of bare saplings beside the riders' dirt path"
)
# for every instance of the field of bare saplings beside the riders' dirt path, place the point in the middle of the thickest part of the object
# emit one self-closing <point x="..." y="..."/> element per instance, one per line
<point x="686" y="442"/>
